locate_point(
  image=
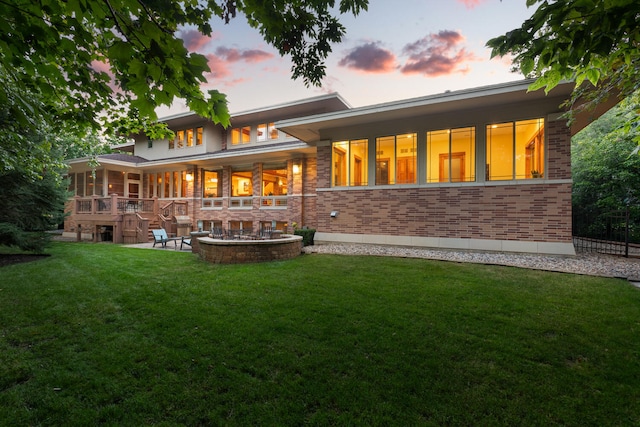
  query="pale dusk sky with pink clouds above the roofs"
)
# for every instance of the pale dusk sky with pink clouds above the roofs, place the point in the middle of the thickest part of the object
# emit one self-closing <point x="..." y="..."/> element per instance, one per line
<point x="398" y="49"/>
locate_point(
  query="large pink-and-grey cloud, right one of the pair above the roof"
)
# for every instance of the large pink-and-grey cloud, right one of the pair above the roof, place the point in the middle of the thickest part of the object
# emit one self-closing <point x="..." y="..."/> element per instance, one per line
<point x="437" y="55"/>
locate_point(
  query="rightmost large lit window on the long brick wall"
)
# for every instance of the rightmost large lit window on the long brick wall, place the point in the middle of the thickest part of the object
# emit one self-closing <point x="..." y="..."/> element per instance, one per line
<point x="515" y="150"/>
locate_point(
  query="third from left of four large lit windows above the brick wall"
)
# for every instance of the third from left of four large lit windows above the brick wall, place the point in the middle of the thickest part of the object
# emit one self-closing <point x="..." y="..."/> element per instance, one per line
<point x="451" y="155"/>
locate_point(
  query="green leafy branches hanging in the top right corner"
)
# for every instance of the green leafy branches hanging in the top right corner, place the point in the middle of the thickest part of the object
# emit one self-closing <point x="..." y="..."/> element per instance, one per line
<point x="595" y="43"/>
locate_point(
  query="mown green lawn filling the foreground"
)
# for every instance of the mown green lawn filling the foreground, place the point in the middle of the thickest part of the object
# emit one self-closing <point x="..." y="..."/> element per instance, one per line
<point x="103" y="334"/>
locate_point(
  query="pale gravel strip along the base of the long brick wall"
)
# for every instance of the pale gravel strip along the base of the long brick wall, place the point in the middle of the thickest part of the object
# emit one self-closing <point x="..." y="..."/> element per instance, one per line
<point x="582" y="263"/>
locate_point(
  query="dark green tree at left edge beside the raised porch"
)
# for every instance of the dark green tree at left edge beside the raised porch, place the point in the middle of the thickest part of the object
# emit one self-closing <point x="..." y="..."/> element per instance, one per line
<point x="33" y="191"/>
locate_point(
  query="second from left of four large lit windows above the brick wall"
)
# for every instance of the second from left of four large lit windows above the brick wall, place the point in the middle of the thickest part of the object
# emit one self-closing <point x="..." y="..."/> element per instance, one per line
<point x="396" y="159"/>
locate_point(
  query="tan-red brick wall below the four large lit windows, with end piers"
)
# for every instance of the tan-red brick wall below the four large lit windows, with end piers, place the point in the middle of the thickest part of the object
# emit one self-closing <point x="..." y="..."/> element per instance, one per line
<point x="495" y="211"/>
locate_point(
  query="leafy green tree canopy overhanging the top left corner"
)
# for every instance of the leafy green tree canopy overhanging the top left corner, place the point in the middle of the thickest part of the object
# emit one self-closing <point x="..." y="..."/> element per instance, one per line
<point x="93" y="62"/>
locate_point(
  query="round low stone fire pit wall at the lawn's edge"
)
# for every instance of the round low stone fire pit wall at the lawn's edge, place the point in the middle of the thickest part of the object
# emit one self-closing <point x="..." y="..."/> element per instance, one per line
<point x="218" y="251"/>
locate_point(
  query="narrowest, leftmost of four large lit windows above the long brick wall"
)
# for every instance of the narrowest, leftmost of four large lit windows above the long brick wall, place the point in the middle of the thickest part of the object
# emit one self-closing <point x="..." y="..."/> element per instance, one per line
<point x="349" y="163"/>
